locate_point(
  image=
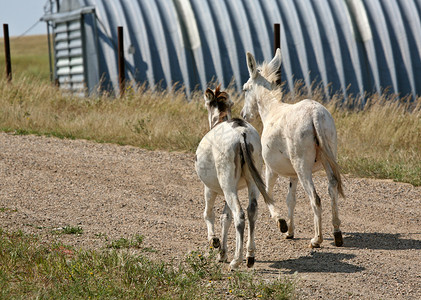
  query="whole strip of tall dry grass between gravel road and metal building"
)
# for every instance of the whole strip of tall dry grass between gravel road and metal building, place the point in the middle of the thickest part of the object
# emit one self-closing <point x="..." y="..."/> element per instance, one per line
<point x="383" y="140"/>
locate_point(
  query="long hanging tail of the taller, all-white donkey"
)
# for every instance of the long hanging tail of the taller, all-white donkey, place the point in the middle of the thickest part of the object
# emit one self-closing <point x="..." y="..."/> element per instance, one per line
<point x="328" y="156"/>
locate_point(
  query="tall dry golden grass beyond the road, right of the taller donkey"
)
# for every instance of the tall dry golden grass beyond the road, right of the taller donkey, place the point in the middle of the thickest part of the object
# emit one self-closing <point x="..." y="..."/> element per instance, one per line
<point x="381" y="139"/>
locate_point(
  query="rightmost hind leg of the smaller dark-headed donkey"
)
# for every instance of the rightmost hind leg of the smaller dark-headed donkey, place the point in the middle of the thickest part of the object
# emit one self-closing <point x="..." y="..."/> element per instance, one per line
<point x="252" y="217"/>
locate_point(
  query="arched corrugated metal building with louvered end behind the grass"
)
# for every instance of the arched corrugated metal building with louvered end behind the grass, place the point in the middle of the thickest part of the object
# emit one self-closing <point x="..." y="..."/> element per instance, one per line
<point x="353" y="46"/>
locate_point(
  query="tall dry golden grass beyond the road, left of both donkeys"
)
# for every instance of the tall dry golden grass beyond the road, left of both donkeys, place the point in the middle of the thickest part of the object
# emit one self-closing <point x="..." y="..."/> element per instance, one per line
<point x="144" y="118"/>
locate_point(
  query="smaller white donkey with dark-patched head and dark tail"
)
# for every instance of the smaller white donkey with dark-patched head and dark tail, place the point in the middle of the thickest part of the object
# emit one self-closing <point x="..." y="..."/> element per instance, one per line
<point x="228" y="159"/>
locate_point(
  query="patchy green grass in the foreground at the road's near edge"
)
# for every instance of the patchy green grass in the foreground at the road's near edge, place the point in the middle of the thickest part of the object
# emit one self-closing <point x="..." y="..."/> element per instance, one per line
<point x="32" y="269"/>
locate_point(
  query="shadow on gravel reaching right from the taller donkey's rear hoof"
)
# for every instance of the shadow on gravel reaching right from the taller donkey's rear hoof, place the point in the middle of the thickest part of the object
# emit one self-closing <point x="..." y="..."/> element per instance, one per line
<point x="380" y="241"/>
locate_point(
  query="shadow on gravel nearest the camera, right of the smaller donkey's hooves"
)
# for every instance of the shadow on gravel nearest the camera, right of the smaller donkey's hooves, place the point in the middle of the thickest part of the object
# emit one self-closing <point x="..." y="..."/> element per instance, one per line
<point x="318" y="262"/>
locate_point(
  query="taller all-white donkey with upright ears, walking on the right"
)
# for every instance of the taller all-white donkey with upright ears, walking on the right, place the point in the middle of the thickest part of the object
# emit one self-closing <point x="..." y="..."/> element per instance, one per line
<point x="297" y="140"/>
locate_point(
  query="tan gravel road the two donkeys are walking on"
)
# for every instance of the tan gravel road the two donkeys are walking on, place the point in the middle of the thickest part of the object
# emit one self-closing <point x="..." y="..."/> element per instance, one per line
<point x="116" y="191"/>
